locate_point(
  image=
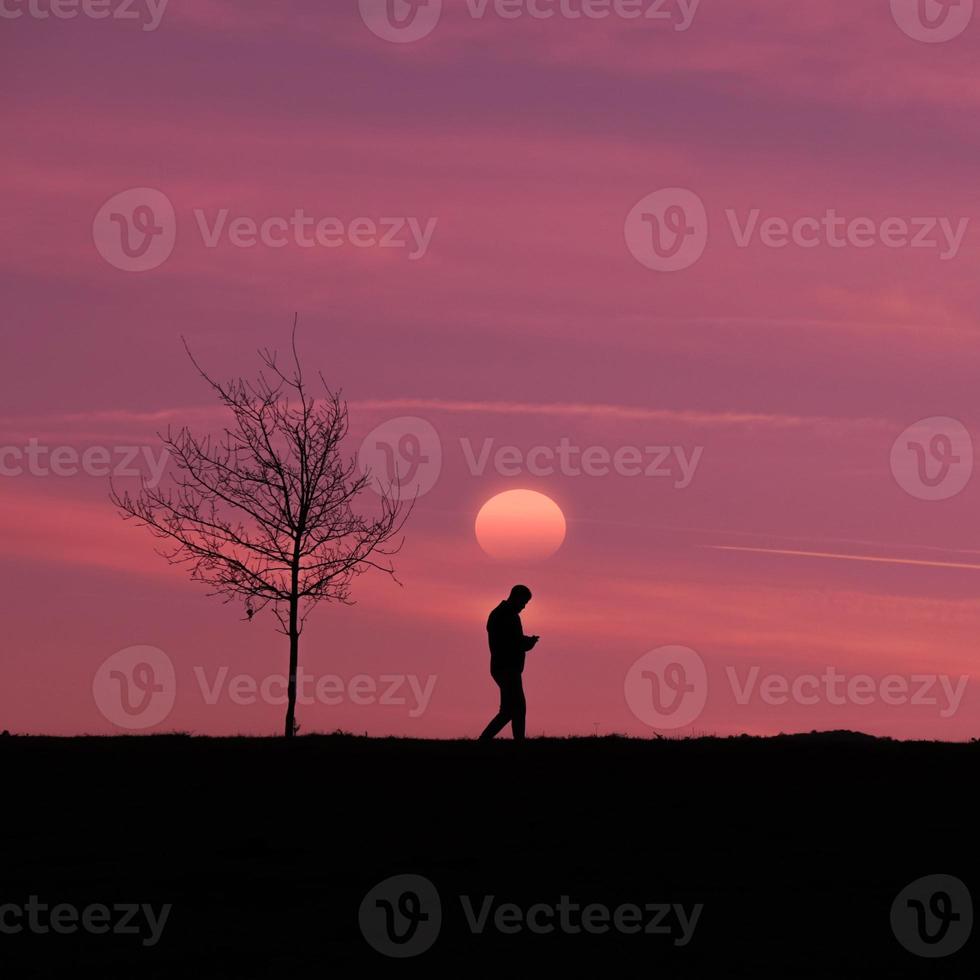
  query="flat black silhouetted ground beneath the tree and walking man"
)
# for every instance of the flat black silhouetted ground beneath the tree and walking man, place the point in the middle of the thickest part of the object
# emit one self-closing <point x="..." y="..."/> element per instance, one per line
<point x="760" y="857"/>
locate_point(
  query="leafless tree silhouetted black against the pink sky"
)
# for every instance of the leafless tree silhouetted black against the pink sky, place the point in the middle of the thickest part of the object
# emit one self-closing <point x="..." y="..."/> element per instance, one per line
<point x="265" y="512"/>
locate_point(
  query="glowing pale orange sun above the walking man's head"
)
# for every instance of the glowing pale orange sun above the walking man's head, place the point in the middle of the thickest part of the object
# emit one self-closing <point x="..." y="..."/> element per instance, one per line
<point x="520" y="525"/>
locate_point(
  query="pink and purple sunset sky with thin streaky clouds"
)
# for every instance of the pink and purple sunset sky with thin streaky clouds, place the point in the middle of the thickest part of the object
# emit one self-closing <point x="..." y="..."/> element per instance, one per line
<point x="726" y="253"/>
